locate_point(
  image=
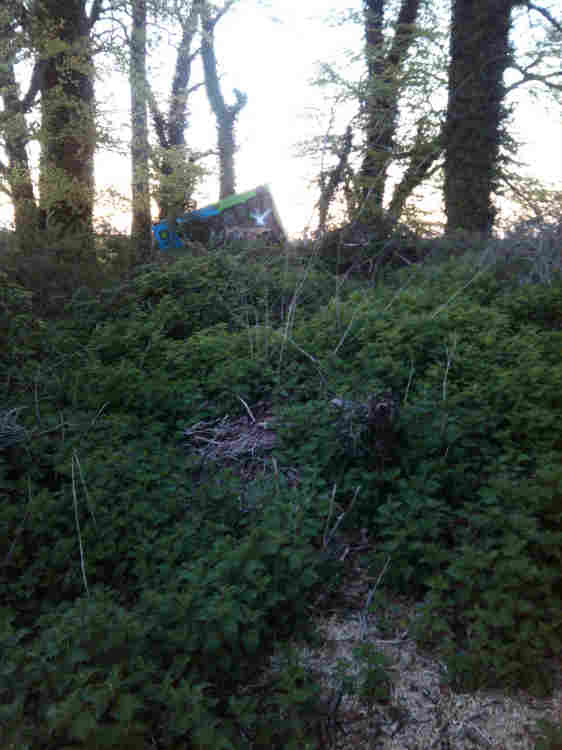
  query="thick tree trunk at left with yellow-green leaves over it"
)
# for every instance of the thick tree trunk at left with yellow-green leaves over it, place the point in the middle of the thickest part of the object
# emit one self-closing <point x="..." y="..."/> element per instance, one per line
<point x="68" y="128"/>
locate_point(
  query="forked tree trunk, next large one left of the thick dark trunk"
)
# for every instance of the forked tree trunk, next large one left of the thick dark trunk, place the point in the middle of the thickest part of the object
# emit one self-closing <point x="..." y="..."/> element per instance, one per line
<point x="381" y="106"/>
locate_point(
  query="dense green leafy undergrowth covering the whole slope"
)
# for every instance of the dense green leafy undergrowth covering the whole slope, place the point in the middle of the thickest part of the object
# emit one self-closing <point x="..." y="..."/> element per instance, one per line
<point x="142" y="594"/>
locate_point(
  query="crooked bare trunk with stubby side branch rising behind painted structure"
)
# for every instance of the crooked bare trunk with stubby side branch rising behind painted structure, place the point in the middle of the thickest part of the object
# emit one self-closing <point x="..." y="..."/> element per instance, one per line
<point x="226" y="115"/>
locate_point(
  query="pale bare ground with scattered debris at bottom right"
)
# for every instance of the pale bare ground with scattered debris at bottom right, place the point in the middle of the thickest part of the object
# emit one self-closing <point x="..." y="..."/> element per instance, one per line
<point x="420" y="711"/>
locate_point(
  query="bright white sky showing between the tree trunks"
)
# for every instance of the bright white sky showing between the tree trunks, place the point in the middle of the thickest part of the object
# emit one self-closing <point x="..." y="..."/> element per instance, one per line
<point x="271" y="50"/>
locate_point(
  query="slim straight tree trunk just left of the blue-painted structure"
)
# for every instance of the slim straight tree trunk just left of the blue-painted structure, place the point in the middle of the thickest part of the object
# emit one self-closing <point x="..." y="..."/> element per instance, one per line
<point x="141" y="227"/>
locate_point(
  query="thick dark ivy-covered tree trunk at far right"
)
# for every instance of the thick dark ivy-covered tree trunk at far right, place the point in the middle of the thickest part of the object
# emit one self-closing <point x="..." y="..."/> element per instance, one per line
<point x="480" y="54"/>
